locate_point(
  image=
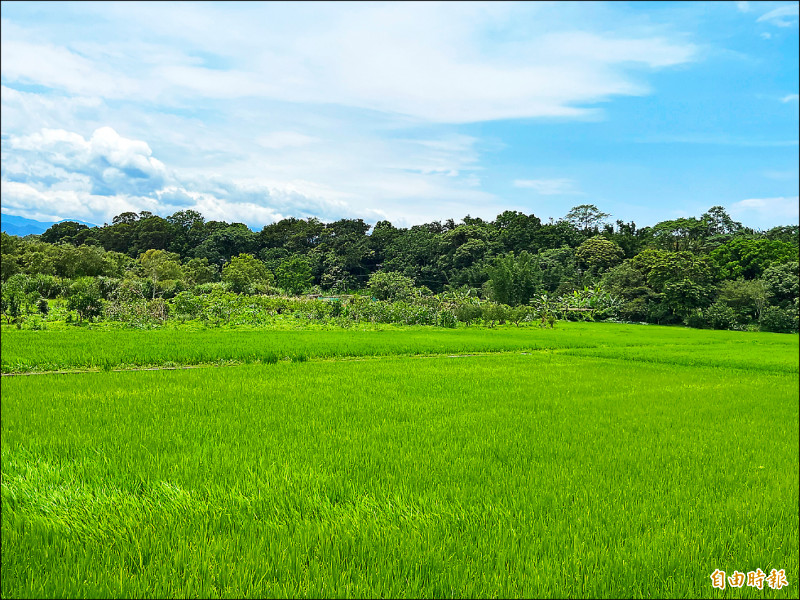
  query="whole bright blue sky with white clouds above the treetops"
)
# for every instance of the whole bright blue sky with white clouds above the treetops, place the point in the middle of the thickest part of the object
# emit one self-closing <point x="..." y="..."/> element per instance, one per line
<point x="403" y="111"/>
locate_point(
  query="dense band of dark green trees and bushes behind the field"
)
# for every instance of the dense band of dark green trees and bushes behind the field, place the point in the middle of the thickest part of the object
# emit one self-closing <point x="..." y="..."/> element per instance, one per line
<point x="707" y="271"/>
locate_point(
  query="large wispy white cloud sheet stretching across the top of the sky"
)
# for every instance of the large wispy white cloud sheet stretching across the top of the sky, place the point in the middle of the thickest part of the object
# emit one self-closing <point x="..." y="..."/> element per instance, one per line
<point x="418" y="59"/>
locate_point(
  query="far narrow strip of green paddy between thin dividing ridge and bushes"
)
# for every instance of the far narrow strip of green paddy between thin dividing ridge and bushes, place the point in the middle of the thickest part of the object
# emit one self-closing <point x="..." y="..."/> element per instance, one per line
<point x="24" y="351"/>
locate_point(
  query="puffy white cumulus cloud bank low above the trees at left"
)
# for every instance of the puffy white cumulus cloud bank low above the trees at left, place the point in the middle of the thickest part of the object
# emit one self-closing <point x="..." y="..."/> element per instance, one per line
<point x="54" y="174"/>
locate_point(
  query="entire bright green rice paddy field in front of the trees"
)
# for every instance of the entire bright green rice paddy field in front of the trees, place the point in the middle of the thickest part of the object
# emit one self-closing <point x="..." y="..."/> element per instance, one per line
<point x="593" y="460"/>
